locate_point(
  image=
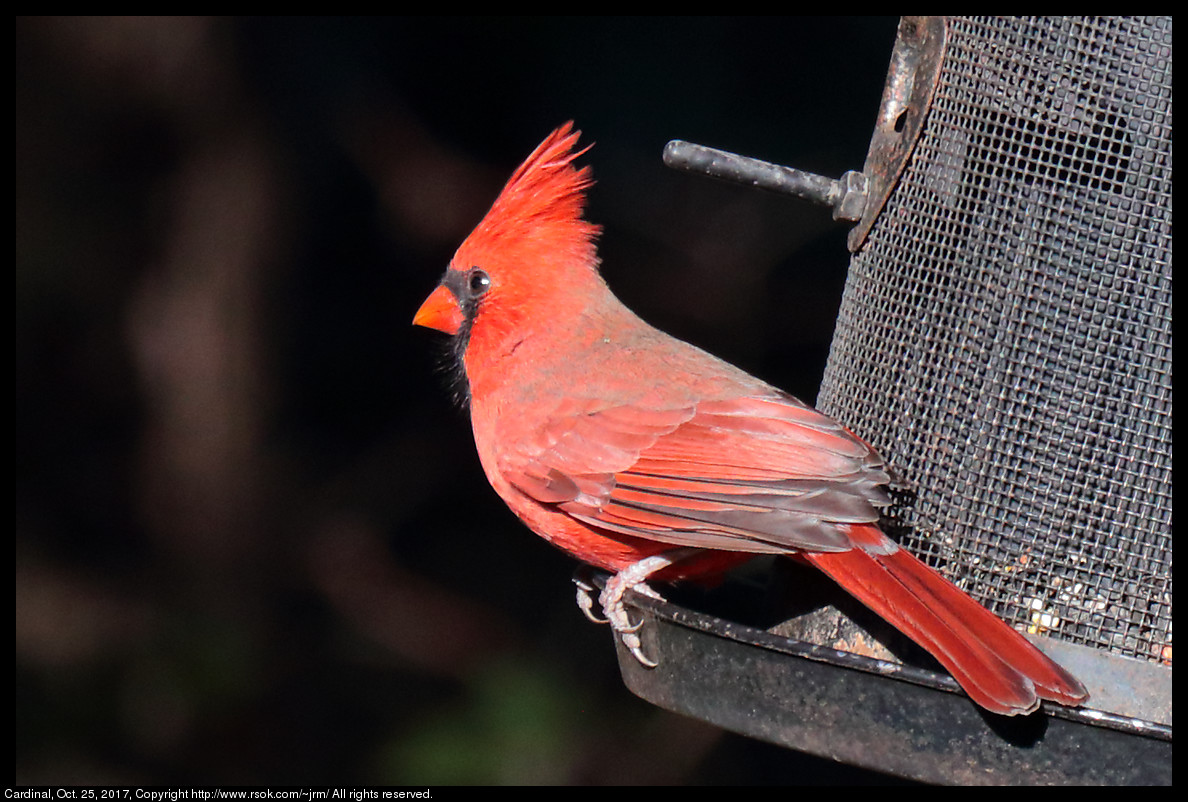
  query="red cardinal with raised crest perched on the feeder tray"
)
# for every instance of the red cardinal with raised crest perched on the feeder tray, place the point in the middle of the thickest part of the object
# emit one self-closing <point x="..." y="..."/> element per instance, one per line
<point x="649" y="458"/>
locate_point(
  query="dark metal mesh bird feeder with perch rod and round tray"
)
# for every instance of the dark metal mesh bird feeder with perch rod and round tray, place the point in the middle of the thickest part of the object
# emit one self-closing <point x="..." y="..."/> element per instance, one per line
<point x="1004" y="340"/>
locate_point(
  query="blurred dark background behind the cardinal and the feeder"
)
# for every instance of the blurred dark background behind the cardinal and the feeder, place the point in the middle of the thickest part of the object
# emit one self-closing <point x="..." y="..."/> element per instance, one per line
<point x="254" y="541"/>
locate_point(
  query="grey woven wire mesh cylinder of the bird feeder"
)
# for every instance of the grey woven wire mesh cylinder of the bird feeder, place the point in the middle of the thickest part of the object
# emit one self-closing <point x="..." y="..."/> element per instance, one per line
<point x="1006" y="337"/>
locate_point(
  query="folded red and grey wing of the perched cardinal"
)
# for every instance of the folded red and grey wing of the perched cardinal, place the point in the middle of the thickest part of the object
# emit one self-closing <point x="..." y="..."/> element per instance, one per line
<point x="759" y="473"/>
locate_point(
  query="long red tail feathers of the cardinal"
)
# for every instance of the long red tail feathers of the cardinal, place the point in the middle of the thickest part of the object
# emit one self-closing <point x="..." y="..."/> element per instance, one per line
<point x="1000" y="668"/>
